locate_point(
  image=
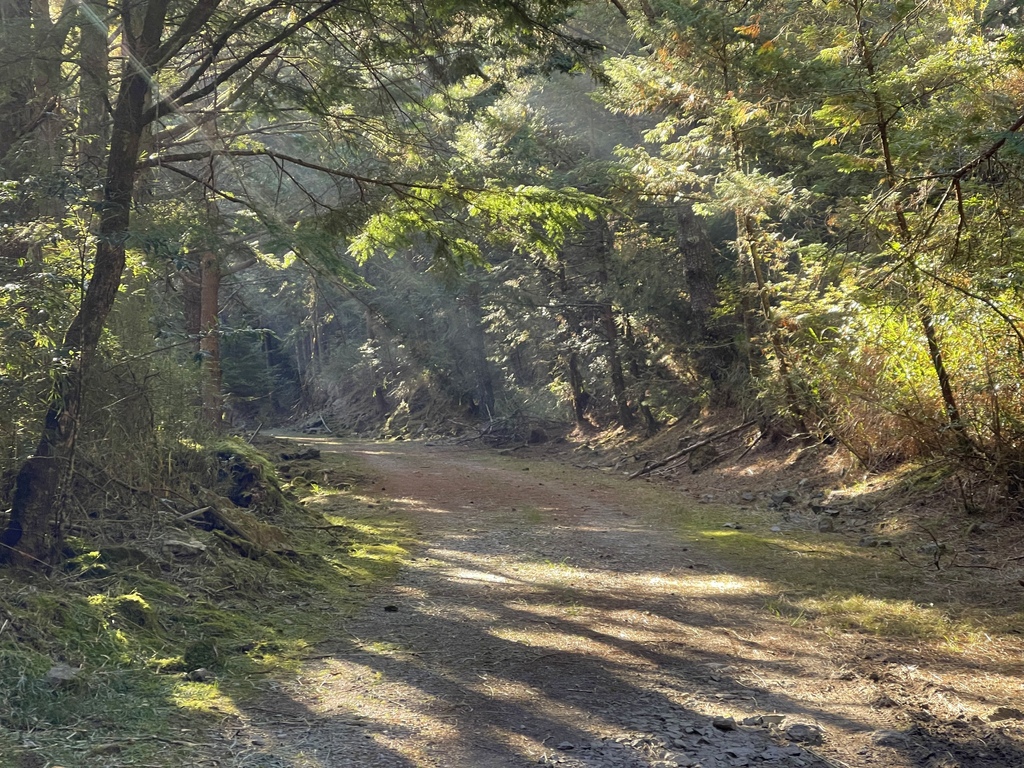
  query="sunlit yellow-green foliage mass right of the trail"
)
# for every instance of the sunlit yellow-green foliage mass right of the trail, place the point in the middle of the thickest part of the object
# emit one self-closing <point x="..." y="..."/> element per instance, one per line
<point x="847" y="141"/>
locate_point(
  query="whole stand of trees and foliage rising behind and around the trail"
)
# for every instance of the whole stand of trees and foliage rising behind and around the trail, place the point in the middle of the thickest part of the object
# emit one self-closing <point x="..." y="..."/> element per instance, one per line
<point x="411" y="219"/>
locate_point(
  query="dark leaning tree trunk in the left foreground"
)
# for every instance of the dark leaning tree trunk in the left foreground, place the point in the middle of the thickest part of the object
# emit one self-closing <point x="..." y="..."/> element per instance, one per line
<point x="30" y="537"/>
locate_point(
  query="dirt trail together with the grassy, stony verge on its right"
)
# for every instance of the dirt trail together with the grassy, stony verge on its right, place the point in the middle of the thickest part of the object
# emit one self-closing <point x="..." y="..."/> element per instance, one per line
<point x="557" y="613"/>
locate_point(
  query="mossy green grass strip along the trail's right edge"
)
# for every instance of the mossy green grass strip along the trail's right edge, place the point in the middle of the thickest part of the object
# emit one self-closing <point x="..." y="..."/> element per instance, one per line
<point x="821" y="580"/>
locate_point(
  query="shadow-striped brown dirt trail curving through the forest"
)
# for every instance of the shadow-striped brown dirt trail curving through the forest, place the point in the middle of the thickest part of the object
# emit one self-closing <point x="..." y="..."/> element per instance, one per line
<point x="549" y="618"/>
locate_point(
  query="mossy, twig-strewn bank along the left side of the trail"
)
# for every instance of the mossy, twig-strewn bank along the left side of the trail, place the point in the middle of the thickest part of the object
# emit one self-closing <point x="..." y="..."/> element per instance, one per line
<point x="130" y="630"/>
